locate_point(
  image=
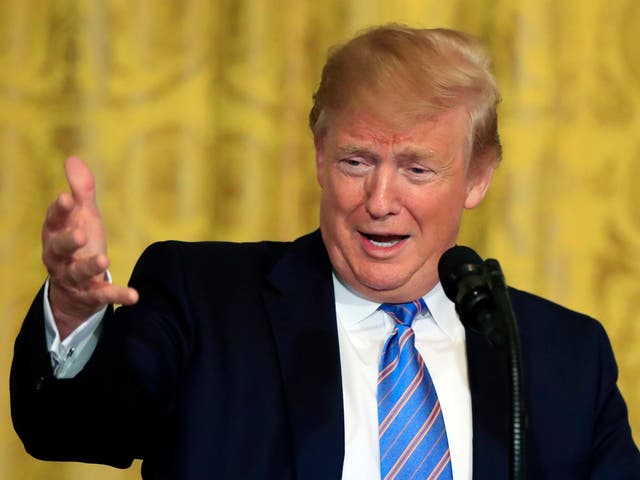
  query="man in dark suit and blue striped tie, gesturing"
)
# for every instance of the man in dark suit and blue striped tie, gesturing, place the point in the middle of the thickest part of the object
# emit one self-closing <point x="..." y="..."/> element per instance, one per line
<point x="278" y="360"/>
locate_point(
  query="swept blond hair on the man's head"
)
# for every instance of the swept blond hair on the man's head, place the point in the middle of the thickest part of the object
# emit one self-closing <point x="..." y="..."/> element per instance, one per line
<point x="415" y="72"/>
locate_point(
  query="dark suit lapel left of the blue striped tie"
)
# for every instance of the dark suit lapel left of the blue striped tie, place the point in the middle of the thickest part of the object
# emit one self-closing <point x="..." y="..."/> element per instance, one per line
<point x="301" y="306"/>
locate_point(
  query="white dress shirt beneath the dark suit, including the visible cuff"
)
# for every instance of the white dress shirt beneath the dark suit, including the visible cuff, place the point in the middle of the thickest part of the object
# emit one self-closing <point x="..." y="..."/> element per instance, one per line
<point x="362" y="332"/>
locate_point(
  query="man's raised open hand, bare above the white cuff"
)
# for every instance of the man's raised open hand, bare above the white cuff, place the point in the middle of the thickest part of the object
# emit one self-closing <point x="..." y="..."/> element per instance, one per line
<point x="74" y="250"/>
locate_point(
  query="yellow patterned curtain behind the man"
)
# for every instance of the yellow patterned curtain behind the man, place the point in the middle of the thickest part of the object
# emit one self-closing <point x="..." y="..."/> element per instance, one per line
<point x="192" y="114"/>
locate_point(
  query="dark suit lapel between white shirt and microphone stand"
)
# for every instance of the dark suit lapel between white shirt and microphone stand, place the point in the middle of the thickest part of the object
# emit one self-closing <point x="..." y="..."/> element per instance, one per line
<point x="488" y="382"/>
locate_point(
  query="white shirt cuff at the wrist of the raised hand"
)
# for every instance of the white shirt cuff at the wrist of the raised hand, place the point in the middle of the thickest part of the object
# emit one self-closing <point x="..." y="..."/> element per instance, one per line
<point x="68" y="357"/>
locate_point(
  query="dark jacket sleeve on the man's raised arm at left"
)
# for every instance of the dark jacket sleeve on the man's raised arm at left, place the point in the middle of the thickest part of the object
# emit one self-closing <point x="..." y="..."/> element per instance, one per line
<point x="111" y="411"/>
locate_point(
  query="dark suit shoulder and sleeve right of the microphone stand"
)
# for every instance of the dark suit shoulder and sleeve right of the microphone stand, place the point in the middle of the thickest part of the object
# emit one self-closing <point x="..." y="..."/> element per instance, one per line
<point x="570" y="375"/>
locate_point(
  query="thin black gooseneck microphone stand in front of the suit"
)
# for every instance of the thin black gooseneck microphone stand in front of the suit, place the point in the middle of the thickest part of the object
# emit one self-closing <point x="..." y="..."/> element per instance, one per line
<point x="518" y="414"/>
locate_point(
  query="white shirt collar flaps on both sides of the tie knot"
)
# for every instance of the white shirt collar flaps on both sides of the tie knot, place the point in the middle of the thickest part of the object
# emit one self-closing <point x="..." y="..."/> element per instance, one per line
<point x="352" y="308"/>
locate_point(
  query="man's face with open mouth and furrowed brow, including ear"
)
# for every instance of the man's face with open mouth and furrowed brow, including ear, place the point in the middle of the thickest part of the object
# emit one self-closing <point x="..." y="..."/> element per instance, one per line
<point x="392" y="199"/>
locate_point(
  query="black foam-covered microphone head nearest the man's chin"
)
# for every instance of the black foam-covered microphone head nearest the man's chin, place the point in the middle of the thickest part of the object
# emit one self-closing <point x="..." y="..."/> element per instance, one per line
<point x="463" y="279"/>
